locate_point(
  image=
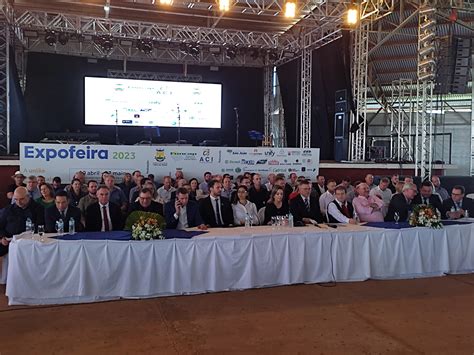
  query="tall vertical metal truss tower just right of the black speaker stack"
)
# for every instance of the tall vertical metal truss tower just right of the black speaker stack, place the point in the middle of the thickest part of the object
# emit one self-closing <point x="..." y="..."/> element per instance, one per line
<point x="359" y="87"/>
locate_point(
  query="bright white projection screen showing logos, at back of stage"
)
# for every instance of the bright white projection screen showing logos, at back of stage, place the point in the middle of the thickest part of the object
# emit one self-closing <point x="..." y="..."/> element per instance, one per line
<point x="126" y="102"/>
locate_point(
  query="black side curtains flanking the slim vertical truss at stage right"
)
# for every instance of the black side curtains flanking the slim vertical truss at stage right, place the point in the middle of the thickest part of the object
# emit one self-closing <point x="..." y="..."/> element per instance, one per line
<point x="330" y="73"/>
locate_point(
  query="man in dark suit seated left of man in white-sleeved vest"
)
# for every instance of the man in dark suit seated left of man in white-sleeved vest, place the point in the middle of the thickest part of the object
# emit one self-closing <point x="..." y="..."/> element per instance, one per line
<point x="305" y="207"/>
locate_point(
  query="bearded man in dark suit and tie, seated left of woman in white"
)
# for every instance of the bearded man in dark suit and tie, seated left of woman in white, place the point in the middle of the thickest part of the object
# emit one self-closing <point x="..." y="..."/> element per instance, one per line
<point x="215" y="210"/>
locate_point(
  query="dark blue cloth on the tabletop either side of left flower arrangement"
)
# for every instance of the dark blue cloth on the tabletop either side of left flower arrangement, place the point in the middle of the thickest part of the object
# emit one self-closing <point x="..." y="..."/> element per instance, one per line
<point x="126" y="235"/>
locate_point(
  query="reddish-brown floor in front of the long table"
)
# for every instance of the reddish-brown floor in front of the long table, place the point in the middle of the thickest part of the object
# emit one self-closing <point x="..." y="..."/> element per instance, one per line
<point x="433" y="315"/>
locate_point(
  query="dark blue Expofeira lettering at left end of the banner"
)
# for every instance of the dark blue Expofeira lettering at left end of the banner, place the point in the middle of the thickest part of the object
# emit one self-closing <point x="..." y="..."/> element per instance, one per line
<point x="88" y="153"/>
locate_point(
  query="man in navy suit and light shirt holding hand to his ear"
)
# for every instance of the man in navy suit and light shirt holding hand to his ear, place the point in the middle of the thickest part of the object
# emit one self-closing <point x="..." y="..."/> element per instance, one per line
<point x="183" y="213"/>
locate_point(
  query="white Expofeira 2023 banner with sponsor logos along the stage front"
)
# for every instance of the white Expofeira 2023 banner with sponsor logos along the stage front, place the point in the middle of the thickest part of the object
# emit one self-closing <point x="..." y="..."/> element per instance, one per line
<point x="64" y="160"/>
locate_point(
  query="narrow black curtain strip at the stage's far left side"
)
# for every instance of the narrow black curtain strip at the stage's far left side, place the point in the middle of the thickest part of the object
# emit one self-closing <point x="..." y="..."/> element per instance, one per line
<point x="17" y="108"/>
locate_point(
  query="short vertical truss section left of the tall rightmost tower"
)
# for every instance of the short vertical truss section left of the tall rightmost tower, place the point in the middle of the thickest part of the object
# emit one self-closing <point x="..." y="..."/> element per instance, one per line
<point x="401" y="120"/>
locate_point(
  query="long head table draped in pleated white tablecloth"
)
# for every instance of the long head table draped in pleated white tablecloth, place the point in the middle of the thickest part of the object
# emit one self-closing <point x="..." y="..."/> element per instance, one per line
<point x="52" y="271"/>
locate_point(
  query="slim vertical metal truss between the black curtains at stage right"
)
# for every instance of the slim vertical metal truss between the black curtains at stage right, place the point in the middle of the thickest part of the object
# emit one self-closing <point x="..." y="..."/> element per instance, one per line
<point x="305" y="100"/>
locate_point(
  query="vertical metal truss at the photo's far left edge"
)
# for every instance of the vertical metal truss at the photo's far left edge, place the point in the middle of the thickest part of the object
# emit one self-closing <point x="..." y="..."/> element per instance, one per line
<point x="4" y="86"/>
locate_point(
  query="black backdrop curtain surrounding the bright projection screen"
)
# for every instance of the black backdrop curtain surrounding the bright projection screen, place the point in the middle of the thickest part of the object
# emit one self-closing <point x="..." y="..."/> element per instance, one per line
<point x="55" y="99"/>
